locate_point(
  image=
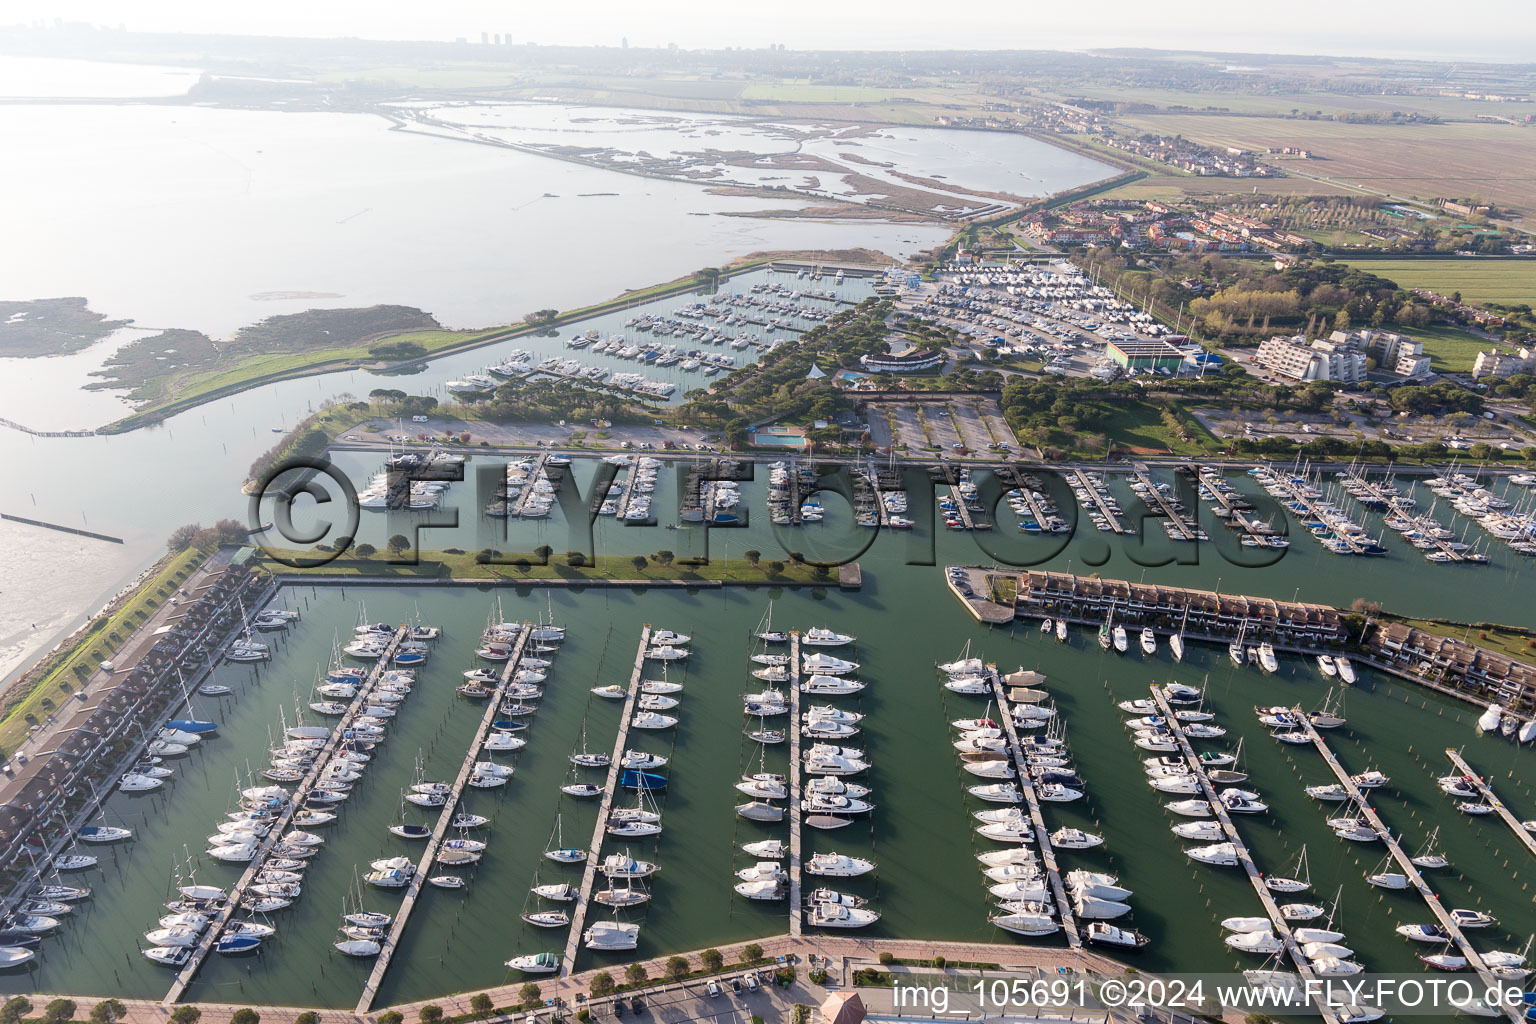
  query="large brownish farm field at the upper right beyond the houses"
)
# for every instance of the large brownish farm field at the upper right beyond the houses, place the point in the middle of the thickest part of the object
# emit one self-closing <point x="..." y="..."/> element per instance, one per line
<point x="1488" y="160"/>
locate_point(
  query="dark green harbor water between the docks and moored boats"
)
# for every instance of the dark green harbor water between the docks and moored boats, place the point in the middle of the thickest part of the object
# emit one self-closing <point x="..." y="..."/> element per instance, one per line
<point x="929" y="884"/>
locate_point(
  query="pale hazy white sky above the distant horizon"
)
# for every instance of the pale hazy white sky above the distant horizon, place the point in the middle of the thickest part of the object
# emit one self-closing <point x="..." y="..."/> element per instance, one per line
<point x="1472" y="30"/>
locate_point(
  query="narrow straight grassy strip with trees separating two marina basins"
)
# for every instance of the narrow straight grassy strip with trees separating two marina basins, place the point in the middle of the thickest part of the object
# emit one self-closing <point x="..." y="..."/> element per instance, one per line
<point x="607" y="570"/>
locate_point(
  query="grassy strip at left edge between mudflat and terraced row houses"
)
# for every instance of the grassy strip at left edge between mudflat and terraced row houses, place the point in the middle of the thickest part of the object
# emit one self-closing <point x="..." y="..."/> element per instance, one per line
<point x="38" y="693"/>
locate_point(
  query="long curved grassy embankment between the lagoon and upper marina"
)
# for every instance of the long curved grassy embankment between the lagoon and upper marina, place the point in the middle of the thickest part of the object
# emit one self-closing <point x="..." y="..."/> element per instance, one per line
<point x="265" y="369"/>
